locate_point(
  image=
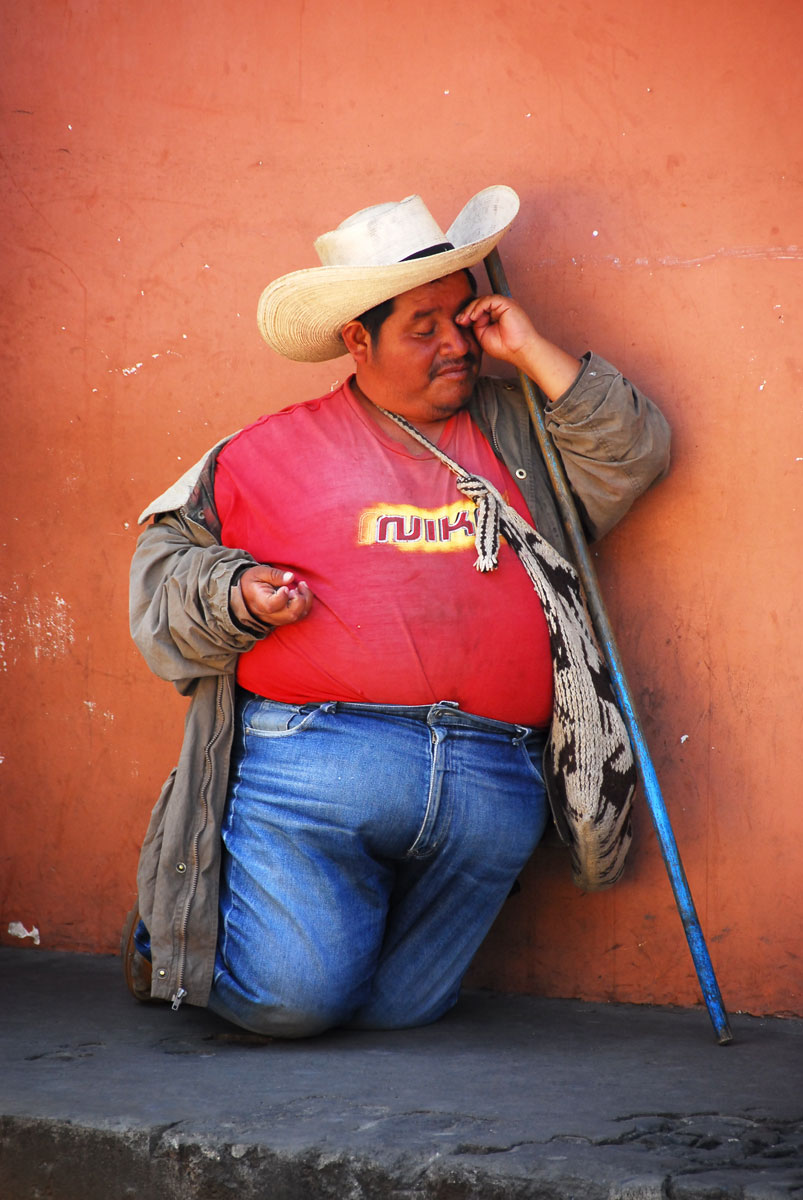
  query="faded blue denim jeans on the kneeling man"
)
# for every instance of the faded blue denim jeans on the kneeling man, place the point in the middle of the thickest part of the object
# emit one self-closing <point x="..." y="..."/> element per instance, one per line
<point x="367" y="853"/>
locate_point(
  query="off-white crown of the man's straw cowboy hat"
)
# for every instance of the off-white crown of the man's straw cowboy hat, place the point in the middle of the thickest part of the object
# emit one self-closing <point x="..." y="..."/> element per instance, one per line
<point x="381" y="236"/>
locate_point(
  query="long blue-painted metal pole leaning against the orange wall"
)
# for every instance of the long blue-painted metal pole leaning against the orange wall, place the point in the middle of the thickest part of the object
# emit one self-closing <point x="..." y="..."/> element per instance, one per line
<point x="604" y="631"/>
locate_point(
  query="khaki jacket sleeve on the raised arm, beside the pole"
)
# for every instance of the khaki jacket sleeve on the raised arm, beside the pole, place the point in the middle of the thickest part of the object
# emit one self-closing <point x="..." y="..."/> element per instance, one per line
<point x="613" y="440"/>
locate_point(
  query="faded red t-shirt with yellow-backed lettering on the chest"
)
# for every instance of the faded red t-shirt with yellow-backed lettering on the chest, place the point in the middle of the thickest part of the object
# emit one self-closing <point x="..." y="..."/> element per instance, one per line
<point x="387" y="544"/>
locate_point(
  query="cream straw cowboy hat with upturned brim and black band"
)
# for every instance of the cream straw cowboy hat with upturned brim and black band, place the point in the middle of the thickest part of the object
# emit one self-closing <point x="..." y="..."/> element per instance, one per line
<point x="375" y="255"/>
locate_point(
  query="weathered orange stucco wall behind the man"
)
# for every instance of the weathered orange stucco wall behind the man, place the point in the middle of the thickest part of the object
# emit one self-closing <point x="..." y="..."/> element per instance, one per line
<point x="163" y="161"/>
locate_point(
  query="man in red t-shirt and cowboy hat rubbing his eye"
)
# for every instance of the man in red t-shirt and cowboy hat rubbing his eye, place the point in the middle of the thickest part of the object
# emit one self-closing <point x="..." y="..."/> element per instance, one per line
<point x="361" y="781"/>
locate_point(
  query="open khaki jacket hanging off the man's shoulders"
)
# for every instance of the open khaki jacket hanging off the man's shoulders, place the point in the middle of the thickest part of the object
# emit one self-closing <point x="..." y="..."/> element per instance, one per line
<point x="614" y="443"/>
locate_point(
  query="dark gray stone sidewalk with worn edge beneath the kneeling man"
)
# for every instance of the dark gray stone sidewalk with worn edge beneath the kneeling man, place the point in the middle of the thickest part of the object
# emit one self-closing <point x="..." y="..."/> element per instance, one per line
<point x="104" y="1099"/>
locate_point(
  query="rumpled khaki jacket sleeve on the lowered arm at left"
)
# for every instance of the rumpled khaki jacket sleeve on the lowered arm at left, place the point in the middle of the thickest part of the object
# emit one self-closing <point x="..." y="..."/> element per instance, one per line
<point x="179" y="603"/>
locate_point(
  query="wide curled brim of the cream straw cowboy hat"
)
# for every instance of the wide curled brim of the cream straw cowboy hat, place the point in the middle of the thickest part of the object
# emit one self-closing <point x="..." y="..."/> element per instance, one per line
<point x="302" y="315"/>
